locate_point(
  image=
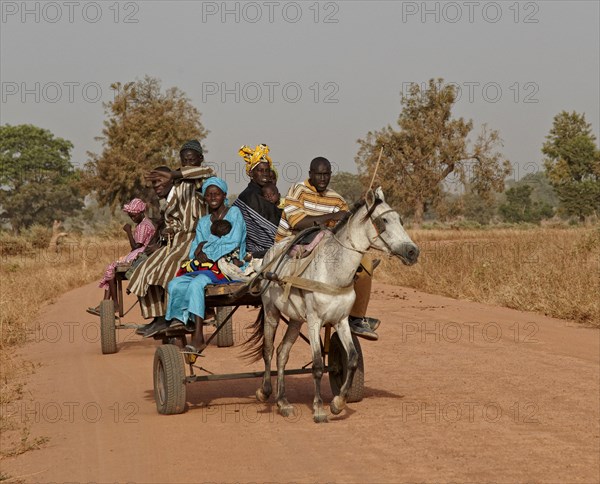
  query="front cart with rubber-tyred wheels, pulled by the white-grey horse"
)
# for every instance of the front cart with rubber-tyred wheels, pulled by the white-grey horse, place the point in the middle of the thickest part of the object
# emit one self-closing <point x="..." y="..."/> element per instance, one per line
<point x="171" y="360"/>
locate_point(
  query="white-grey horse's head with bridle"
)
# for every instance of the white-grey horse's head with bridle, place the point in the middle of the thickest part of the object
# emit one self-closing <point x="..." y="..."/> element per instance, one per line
<point x="387" y="232"/>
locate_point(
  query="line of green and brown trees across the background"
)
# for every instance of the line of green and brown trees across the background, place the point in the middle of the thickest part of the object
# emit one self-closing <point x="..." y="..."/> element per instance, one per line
<point x="432" y="164"/>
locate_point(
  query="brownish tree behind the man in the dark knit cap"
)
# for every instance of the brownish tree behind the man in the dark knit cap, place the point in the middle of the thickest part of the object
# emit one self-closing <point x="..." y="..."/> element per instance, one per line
<point x="144" y="128"/>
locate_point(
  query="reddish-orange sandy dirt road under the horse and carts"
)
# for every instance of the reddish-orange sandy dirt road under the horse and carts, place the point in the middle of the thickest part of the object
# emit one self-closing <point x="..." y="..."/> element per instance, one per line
<point x="455" y="391"/>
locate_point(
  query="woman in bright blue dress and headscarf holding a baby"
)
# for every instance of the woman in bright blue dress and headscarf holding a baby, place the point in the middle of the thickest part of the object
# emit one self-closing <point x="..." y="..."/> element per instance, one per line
<point x="186" y="293"/>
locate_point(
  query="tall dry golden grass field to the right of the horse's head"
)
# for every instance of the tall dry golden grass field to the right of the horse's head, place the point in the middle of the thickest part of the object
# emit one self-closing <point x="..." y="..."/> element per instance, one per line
<point x="552" y="271"/>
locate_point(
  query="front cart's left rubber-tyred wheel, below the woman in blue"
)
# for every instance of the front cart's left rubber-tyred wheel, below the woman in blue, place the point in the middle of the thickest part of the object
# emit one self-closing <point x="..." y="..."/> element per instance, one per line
<point x="169" y="380"/>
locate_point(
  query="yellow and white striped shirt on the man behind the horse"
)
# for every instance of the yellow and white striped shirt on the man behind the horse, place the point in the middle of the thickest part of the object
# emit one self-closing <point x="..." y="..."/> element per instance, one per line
<point x="304" y="200"/>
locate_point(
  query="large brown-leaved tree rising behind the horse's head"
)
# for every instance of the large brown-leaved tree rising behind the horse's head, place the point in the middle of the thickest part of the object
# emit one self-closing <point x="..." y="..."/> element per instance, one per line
<point x="429" y="147"/>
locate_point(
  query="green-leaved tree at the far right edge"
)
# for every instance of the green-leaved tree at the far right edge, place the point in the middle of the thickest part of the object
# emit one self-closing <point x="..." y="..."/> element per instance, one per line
<point x="573" y="164"/>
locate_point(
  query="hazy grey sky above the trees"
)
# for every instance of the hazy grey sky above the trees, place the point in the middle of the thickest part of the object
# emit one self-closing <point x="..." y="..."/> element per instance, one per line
<point x="308" y="78"/>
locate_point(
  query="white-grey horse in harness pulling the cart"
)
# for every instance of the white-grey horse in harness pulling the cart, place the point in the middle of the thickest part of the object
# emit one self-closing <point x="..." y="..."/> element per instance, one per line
<point x="371" y="223"/>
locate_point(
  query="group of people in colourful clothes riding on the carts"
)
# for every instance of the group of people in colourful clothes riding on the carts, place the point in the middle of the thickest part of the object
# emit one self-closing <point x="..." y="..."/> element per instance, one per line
<point x="201" y="239"/>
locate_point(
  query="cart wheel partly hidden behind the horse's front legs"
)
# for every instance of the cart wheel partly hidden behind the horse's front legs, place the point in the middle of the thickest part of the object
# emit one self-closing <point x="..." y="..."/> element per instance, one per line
<point x="339" y="367"/>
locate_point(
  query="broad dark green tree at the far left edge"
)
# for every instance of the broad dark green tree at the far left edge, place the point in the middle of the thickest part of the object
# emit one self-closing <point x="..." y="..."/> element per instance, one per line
<point x="37" y="180"/>
